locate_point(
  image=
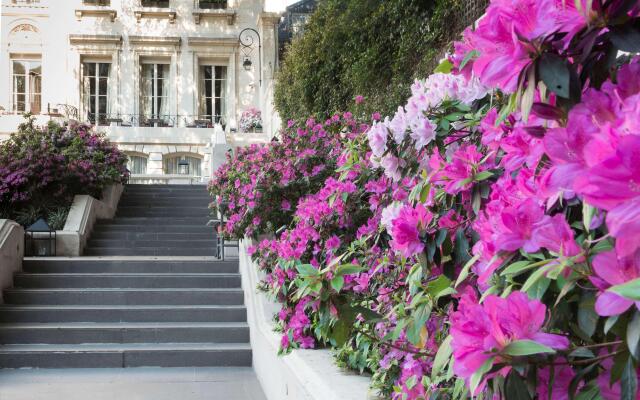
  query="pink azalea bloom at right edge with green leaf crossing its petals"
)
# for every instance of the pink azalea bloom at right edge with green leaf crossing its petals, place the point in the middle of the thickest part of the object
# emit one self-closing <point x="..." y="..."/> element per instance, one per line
<point x="612" y="270"/>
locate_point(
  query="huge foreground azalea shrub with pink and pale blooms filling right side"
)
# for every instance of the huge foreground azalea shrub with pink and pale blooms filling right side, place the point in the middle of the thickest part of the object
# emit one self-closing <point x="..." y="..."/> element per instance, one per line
<point x="484" y="241"/>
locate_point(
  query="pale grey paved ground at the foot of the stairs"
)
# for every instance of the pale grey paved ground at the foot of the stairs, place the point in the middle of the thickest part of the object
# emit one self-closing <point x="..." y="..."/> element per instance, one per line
<point x="130" y="384"/>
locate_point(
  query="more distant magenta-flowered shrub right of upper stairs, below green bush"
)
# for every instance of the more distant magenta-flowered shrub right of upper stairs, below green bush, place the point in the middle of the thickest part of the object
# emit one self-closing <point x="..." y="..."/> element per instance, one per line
<point x="259" y="186"/>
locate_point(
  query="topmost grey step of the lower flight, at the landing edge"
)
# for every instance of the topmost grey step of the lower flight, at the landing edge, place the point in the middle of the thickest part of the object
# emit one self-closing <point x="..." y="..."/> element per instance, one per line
<point x="118" y="265"/>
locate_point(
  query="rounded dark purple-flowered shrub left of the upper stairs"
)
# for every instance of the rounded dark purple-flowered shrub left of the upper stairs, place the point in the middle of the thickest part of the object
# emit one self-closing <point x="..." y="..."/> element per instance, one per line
<point x="42" y="169"/>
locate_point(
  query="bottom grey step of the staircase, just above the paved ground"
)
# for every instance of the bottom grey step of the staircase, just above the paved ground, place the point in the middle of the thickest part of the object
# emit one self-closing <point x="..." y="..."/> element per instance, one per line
<point x="126" y="355"/>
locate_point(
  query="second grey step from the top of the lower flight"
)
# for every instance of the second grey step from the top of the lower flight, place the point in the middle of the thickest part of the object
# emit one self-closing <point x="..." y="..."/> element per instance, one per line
<point x="88" y="280"/>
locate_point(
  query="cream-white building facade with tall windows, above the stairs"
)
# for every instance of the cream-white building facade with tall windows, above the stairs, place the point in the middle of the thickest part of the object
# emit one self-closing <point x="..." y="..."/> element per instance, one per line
<point x="160" y="77"/>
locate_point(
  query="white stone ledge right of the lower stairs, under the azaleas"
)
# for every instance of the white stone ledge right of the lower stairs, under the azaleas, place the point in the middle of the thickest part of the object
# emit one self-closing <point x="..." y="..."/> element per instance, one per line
<point x="301" y="375"/>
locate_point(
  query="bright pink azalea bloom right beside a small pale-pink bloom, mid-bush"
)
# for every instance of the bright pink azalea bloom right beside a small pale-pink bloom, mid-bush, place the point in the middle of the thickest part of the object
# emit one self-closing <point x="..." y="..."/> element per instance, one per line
<point x="407" y="228"/>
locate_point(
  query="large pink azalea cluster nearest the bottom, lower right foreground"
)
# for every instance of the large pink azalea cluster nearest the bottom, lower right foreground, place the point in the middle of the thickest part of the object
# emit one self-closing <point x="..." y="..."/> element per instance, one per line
<point x="480" y="330"/>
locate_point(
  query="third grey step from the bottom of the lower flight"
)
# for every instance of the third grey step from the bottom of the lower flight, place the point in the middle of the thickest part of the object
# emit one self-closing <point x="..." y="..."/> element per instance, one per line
<point x="114" y="313"/>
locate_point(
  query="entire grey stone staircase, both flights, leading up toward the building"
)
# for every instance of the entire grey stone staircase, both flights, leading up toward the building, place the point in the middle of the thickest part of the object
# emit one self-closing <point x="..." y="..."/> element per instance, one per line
<point x="147" y="293"/>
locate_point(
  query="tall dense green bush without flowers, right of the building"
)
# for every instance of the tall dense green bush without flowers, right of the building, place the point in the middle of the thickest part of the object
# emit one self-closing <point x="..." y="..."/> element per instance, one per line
<point x="371" y="48"/>
